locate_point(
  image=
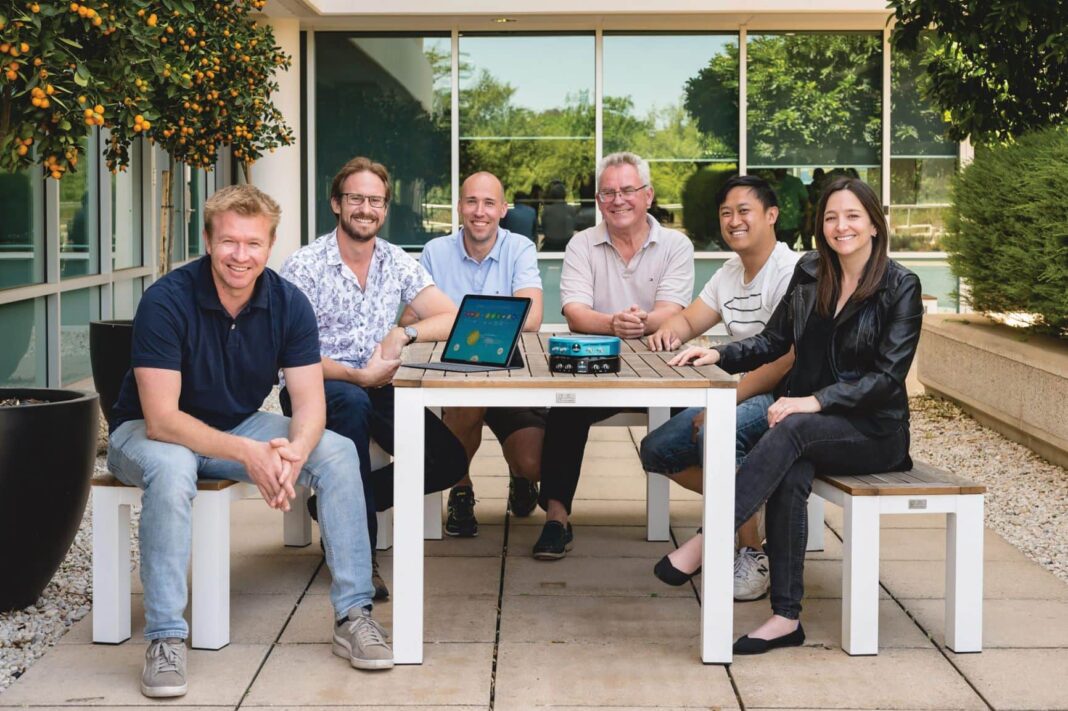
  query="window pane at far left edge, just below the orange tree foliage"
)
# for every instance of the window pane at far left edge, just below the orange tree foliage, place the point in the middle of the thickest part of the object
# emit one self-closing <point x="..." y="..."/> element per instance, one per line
<point x="22" y="229"/>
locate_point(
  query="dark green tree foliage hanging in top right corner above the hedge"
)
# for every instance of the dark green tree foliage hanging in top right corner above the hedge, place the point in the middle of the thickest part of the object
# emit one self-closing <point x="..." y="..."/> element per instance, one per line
<point x="998" y="69"/>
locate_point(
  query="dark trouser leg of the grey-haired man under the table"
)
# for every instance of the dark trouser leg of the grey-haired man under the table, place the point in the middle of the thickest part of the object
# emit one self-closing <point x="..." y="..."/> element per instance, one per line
<point x="567" y="432"/>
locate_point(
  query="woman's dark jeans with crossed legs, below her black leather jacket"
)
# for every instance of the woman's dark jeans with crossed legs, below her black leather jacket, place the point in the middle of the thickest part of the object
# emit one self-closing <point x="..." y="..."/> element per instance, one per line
<point x="780" y="471"/>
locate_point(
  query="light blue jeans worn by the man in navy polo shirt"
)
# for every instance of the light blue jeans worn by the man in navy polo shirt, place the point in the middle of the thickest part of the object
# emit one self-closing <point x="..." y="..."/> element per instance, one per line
<point x="168" y="475"/>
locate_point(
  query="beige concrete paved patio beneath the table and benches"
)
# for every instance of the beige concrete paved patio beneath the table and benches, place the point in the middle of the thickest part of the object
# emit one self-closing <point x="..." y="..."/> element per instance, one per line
<point x="593" y="630"/>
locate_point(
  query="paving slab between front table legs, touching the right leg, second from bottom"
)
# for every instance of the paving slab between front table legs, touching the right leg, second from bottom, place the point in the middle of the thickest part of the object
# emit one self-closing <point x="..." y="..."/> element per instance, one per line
<point x="600" y="620"/>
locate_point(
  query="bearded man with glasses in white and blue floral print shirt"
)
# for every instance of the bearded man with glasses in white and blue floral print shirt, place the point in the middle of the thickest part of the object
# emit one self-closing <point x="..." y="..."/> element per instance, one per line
<point x="357" y="283"/>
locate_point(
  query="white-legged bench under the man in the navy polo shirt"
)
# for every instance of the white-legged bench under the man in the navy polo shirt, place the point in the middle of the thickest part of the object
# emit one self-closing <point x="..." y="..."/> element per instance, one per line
<point x="211" y="557"/>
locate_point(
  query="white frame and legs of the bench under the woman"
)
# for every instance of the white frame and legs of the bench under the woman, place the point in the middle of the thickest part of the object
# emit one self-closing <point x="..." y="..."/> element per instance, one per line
<point x="860" y="563"/>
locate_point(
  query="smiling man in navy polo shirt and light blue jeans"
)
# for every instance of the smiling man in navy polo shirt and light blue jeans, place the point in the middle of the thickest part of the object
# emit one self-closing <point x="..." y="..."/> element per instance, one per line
<point x="209" y="340"/>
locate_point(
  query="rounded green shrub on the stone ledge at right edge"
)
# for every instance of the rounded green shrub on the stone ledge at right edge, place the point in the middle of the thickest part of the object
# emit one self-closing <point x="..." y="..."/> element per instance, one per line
<point x="1009" y="229"/>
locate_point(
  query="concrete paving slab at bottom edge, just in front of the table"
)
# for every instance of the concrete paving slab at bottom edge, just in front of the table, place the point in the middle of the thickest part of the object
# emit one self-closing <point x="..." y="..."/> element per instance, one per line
<point x="621" y="674"/>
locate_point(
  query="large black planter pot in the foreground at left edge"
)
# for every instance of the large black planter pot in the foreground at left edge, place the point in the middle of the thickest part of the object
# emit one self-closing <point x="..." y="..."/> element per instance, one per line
<point x="48" y="453"/>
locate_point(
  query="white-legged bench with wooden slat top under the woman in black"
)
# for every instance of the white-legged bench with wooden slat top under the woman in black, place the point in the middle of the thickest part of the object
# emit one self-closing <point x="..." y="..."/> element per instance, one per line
<point x="925" y="489"/>
